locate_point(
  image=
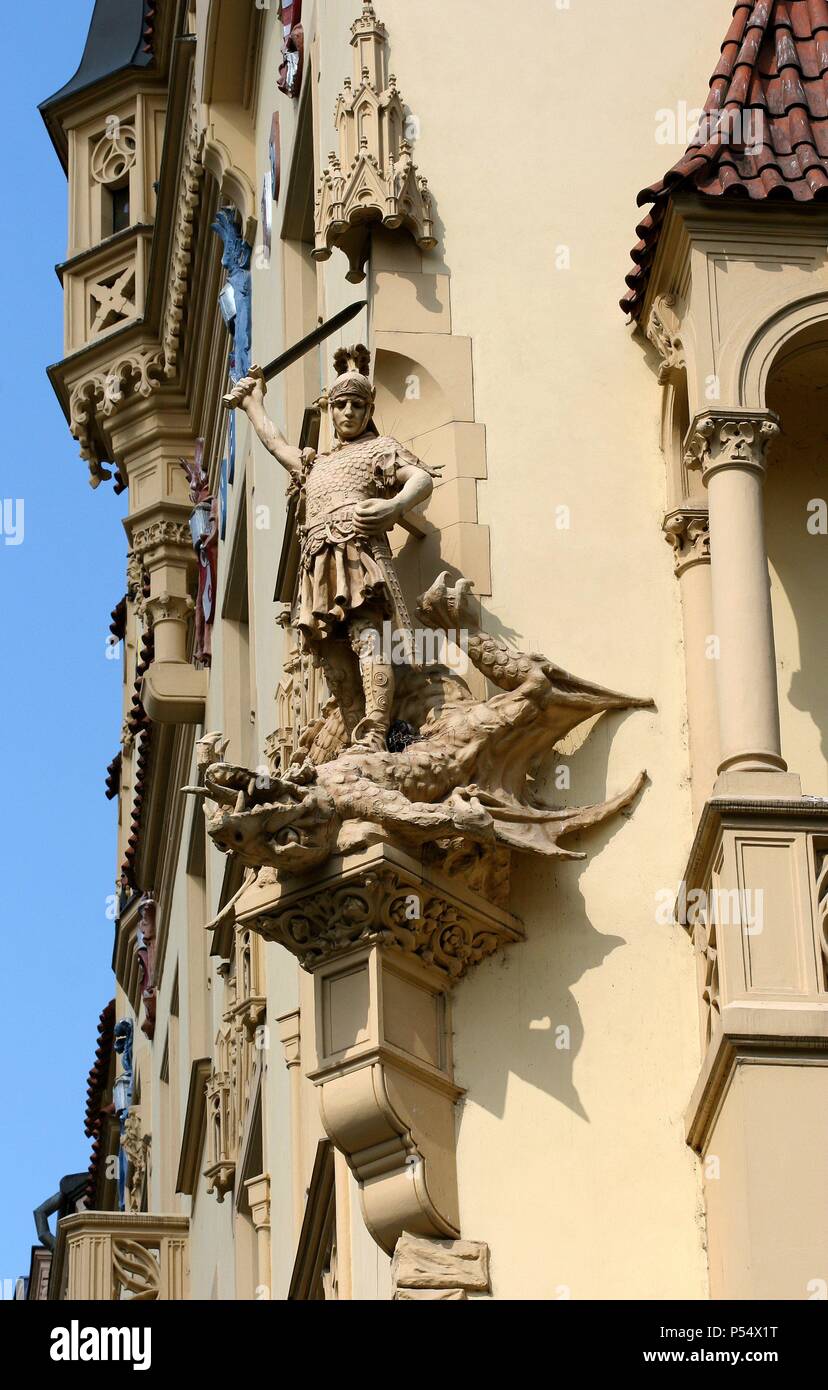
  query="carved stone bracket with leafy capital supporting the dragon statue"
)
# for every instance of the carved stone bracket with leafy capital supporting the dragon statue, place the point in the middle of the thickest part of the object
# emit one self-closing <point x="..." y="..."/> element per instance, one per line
<point x="386" y="940"/>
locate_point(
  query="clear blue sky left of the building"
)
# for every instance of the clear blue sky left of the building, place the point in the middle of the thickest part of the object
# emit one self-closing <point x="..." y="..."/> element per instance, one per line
<point x="60" y="698"/>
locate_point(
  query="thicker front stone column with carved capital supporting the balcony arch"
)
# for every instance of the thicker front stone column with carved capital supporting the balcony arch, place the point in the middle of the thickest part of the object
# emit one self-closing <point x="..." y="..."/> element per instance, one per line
<point x="730" y="447"/>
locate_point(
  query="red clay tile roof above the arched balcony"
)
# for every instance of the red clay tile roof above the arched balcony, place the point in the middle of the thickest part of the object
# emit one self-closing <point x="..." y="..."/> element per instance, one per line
<point x="772" y="84"/>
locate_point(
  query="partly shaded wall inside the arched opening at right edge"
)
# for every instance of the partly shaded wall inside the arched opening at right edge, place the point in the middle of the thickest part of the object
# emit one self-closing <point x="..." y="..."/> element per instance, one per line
<point x="798" y="477"/>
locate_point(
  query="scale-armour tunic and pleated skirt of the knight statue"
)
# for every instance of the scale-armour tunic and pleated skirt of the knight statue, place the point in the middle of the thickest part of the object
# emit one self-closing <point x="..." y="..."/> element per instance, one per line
<point x="340" y="572"/>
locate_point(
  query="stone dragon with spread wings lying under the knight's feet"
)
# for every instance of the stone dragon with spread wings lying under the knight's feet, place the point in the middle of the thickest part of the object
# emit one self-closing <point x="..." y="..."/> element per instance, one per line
<point x="461" y="790"/>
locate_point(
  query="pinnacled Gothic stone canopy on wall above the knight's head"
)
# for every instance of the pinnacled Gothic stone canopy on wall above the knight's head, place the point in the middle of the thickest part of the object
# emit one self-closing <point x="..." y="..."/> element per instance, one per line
<point x="373" y="179"/>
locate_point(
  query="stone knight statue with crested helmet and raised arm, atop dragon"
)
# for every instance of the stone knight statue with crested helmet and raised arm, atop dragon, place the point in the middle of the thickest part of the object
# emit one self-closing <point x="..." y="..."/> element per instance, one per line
<point x="349" y="501"/>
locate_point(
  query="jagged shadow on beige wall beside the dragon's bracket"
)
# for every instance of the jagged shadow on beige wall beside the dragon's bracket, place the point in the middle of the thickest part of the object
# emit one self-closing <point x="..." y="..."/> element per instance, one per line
<point x="530" y="986"/>
